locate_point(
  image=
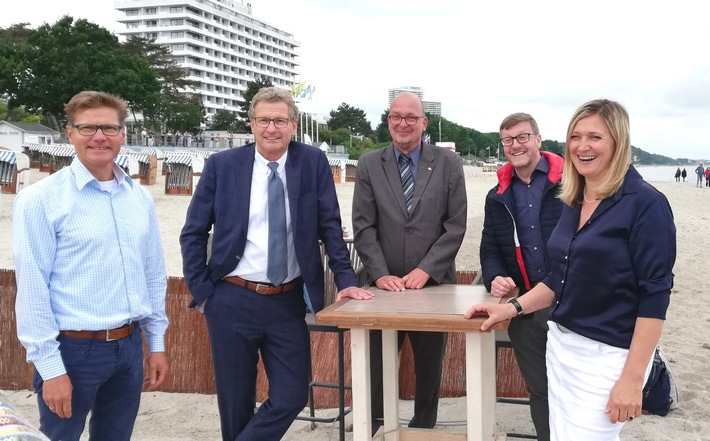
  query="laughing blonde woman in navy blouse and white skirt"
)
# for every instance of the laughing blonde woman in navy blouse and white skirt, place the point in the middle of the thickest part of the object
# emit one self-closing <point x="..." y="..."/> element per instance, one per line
<point x="611" y="273"/>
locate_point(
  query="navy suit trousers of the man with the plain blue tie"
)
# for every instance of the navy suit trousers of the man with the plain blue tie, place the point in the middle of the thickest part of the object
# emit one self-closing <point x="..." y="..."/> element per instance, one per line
<point x="242" y="325"/>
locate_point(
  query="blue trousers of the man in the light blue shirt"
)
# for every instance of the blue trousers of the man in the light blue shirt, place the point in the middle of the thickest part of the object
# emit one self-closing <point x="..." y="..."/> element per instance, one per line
<point x="107" y="379"/>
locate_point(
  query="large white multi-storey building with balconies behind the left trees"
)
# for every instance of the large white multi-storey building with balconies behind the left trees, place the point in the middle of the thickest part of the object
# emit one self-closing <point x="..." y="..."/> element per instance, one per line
<point x="220" y="42"/>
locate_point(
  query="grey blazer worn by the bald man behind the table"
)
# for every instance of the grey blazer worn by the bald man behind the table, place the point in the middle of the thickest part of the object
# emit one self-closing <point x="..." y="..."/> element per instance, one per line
<point x="387" y="239"/>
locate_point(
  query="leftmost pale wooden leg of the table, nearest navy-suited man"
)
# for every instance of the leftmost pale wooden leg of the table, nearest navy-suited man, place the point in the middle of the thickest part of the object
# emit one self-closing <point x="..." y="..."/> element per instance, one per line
<point x="360" y="356"/>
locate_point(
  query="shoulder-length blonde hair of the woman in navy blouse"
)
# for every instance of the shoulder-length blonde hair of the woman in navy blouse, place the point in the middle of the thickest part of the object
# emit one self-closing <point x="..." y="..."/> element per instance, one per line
<point x="616" y="119"/>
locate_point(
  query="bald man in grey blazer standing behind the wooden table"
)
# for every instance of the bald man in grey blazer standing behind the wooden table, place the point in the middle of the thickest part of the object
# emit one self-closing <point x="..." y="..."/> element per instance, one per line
<point x="409" y="239"/>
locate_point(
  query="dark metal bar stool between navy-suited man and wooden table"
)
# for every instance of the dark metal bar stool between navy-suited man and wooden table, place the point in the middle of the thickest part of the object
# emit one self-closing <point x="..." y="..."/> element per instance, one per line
<point x="340" y="385"/>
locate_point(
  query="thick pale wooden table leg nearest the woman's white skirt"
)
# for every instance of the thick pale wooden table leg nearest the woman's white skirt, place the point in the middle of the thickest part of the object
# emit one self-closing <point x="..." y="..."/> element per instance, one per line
<point x="480" y="386"/>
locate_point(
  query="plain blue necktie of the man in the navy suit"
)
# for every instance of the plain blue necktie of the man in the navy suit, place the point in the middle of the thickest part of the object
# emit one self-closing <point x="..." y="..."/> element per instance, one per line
<point x="277" y="266"/>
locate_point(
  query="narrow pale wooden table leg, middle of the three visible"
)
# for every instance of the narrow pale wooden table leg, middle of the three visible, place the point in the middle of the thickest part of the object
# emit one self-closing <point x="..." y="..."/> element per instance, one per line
<point x="390" y="382"/>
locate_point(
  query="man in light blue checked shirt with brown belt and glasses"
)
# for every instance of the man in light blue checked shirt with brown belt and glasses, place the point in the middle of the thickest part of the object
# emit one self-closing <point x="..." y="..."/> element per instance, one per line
<point x="90" y="282"/>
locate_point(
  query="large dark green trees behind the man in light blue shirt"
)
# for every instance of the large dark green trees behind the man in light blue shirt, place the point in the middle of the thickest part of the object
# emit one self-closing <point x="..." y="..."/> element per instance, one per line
<point x="42" y="68"/>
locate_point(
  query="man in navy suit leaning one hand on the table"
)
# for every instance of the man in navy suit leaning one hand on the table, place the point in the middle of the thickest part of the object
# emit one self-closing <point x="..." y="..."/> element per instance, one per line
<point x="248" y="314"/>
